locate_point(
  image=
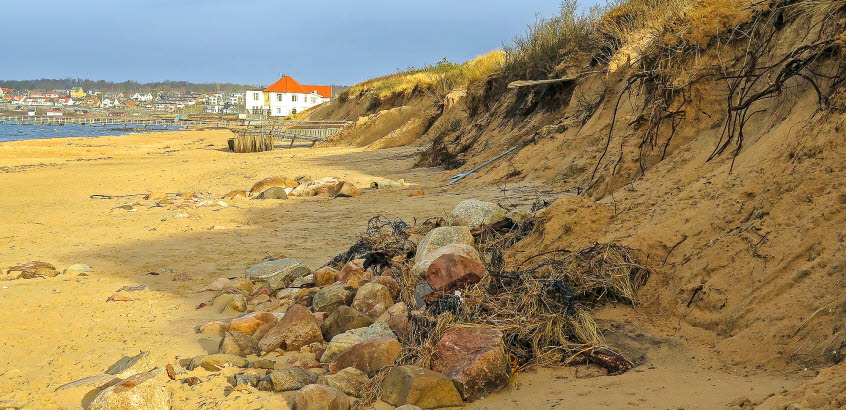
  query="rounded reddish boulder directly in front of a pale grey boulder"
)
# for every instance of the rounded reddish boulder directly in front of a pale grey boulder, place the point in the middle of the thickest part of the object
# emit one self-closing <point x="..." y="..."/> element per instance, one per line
<point x="453" y="271"/>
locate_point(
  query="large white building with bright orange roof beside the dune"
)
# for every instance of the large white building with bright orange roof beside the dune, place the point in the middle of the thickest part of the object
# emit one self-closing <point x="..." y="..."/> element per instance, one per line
<point x="286" y="97"/>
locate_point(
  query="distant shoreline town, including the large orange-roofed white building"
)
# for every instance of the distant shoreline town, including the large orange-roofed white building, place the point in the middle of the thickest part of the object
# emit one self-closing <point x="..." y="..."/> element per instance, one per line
<point x="284" y="98"/>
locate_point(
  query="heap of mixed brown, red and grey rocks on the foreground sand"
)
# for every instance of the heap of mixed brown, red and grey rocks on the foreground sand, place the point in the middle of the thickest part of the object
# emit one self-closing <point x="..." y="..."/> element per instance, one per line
<point x="326" y="338"/>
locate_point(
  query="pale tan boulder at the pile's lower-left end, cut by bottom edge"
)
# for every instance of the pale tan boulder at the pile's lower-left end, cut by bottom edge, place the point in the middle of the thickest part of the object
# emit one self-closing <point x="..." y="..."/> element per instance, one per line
<point x="141" y="391"/>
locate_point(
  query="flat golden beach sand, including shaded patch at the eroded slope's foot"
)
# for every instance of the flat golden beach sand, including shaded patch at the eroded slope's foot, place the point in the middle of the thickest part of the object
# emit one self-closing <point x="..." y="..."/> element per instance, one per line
<point x="62" y="329"/>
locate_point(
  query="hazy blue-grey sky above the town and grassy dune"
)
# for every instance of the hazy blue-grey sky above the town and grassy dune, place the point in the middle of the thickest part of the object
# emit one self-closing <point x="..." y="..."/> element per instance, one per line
<point x="250" y="41"/>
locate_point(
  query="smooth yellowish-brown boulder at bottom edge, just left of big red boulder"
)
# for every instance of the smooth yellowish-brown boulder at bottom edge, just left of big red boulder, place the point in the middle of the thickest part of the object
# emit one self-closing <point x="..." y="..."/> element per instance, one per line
<point x="421" y="387"/>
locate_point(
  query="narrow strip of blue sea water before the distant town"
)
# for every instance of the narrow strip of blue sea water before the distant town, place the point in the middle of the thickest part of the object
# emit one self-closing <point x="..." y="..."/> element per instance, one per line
<point x="17" y="132"/>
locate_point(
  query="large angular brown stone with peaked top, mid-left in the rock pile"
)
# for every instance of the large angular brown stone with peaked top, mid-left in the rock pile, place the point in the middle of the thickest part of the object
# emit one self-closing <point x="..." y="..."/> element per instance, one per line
<point x="296" y="329"/>
